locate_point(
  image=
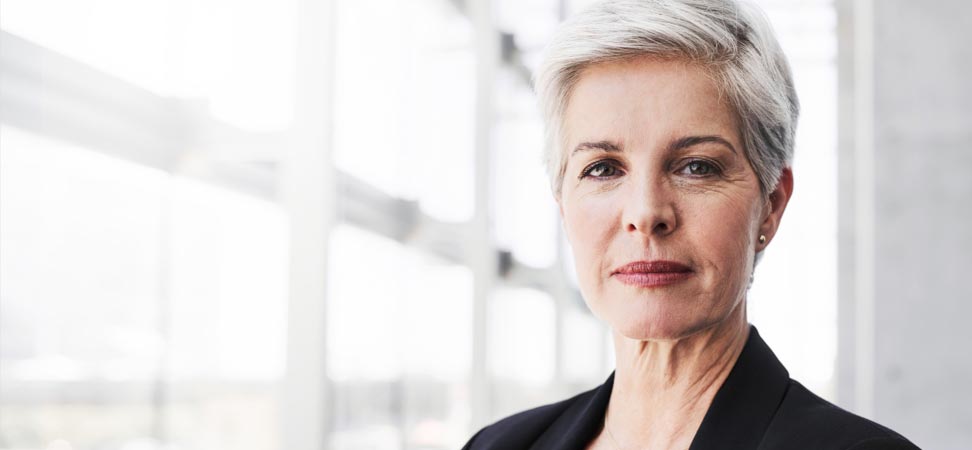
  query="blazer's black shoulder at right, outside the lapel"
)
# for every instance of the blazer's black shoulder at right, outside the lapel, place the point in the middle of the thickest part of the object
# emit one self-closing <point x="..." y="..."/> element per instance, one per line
<point x="804" y="420"/>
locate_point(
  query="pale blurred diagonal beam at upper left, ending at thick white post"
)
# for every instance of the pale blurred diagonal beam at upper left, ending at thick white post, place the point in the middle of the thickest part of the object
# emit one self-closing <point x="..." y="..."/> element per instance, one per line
<point x="52" y="95"/>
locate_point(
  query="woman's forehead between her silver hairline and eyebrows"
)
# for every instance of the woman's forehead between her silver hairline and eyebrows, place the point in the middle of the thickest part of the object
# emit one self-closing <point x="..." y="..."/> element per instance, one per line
<point x="646" y="98"/>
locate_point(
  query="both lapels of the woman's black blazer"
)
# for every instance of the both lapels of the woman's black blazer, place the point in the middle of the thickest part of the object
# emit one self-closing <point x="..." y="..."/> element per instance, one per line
<point x="737" y="418"/>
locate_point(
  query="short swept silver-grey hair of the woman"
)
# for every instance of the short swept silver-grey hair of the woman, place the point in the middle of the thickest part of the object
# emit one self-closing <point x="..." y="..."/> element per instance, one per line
<point x="732" y="40"/>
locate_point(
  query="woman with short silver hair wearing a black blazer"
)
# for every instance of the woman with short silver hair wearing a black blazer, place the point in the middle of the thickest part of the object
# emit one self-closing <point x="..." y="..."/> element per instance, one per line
<point x="670" y="131"/>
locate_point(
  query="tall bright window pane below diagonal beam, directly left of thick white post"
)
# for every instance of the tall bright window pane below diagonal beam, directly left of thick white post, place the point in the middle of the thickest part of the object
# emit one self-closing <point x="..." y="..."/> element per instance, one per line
<point x="227" y="318"/>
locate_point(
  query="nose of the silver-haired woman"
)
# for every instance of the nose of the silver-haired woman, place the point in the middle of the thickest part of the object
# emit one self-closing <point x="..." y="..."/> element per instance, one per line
<point x="650" y="209"/>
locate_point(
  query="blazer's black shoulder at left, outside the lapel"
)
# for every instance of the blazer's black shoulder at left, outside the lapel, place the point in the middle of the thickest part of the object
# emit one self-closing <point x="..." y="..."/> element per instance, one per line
<point x="522" y="429"/>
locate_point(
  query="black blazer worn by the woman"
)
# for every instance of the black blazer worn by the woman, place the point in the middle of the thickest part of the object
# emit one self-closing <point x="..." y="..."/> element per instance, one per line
<point x="758" y="407"/>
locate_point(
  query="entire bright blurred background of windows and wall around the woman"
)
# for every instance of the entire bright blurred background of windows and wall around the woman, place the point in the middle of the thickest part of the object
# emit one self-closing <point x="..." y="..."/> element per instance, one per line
<point x="324" y="224"/>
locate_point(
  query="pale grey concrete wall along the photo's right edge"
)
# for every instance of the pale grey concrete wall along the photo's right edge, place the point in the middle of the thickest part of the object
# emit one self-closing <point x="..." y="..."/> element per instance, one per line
<point x="906" y="299"/>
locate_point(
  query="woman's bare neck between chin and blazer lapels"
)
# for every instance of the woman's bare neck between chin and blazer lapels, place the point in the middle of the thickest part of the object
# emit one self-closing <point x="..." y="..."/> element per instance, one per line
<point x="663" y="388"/>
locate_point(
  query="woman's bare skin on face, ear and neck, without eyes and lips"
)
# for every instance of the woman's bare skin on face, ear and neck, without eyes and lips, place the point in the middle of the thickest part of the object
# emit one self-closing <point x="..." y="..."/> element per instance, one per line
<point x="647" y="119"/>
